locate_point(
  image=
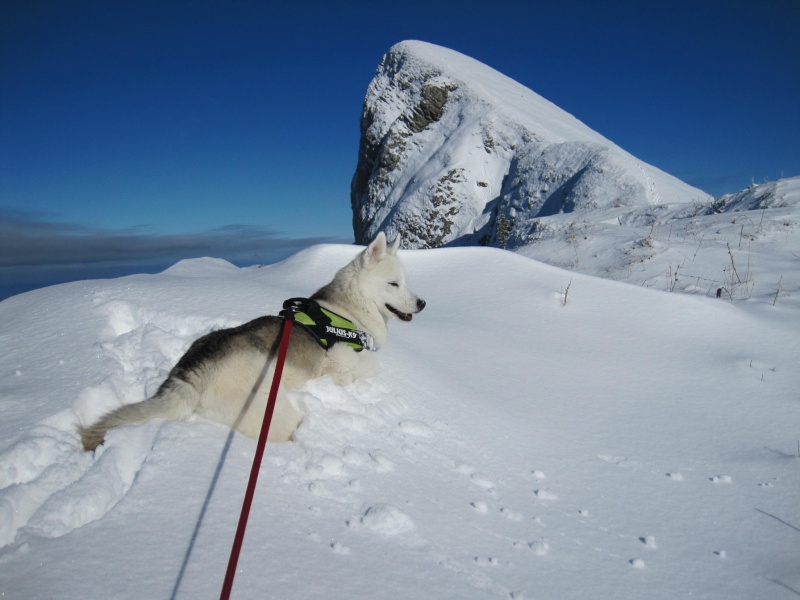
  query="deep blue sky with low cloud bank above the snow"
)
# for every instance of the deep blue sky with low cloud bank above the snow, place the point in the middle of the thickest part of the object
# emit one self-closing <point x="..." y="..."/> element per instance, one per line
<point x="133" y="134"/>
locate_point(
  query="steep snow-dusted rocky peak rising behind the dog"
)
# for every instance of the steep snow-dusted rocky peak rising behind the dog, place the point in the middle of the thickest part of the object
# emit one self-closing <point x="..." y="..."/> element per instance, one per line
<point x="453" y="152"/>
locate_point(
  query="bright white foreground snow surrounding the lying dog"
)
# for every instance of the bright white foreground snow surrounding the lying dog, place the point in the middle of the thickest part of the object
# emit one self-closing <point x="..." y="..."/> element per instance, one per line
<point x="534" y="433"/>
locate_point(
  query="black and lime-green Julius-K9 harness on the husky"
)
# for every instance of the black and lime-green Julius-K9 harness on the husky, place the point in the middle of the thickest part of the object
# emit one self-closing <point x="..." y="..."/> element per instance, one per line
<point x="326" y="326"/>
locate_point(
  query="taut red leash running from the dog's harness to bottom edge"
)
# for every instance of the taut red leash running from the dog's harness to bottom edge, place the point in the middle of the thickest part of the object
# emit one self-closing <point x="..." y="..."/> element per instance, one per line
<point x="262" y="441"/>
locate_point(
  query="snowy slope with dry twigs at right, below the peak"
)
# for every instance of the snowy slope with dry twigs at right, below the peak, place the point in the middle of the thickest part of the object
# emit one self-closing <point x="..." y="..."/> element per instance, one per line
<point x="744" y="244"/>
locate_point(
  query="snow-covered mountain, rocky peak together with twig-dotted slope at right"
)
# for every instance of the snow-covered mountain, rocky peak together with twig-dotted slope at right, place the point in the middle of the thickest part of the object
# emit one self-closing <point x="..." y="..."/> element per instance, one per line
<point x="454" y="153"/>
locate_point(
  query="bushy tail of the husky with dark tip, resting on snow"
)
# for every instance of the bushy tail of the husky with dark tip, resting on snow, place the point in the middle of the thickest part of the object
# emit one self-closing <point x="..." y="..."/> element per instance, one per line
<point x="175" y="399"/>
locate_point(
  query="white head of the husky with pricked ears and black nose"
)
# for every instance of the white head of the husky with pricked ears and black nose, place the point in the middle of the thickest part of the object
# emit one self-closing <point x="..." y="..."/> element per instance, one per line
<point x="386" y="281"/>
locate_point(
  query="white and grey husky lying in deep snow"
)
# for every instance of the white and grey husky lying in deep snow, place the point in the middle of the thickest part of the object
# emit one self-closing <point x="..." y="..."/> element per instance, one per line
<point x="225" y="375"/>
